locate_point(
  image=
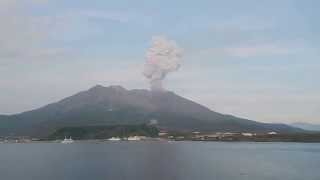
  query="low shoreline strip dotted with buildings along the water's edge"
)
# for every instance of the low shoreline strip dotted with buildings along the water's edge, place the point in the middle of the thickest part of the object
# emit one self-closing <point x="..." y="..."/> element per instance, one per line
<point x="187" y="136"/>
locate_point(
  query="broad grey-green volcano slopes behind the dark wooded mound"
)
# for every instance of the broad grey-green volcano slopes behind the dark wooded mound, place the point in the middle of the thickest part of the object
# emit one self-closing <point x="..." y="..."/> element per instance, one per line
<point x="115" y="105"/>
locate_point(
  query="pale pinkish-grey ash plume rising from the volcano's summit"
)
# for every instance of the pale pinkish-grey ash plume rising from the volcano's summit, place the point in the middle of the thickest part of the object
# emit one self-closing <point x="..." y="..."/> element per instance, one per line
<point x="163" y="57"/>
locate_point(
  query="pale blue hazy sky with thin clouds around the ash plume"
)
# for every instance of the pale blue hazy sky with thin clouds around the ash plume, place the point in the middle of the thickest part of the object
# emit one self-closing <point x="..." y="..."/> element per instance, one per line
<point x="254" y="59"/>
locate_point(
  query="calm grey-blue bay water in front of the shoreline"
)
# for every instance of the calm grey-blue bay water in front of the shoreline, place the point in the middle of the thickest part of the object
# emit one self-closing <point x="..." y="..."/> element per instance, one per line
<point x="160" y="161"/>
